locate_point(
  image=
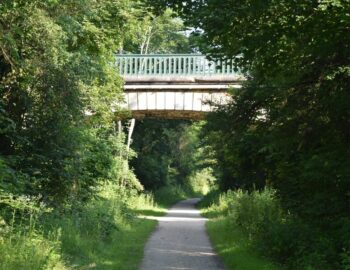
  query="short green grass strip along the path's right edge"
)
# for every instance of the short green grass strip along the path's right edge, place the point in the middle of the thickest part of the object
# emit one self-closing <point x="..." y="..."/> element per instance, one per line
<point x="234" y="247"/>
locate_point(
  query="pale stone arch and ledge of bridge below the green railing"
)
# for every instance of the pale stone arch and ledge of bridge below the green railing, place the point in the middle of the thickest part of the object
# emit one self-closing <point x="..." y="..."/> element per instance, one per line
<point x="177" y="97"/>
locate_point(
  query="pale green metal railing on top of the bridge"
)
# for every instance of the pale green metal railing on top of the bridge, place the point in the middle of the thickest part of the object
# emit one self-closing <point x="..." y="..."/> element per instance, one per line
<point x="171" y="64"/>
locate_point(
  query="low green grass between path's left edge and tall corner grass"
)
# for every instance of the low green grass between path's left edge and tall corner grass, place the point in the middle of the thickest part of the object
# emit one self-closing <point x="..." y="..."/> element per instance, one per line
<point x="112" y="234"/>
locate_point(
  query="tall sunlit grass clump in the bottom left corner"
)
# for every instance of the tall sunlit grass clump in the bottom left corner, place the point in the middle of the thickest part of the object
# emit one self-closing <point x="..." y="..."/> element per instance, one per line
<point x="24" y="244"/>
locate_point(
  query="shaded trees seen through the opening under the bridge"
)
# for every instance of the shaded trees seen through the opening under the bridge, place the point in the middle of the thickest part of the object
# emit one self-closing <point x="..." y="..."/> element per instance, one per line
<point x="169" y="152"/>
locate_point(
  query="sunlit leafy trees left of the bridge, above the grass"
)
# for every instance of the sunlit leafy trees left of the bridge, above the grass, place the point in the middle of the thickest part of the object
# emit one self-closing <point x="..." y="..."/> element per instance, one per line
<point x="55" y="65"/>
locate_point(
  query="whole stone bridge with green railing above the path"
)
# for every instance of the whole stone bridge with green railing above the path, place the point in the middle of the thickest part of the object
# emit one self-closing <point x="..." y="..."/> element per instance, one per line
<point x="184" y="86"/>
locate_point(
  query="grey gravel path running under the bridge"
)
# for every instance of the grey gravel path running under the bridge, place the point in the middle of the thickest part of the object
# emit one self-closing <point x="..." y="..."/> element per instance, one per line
<point x="180" y="242"/>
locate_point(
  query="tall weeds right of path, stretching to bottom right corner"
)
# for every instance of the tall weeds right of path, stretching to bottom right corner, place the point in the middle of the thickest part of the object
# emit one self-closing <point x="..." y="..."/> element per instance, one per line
<point x="271" y="231"/>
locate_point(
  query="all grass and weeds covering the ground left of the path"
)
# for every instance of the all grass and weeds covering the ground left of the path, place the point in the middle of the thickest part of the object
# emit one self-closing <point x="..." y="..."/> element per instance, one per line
<point x="104" y="233"/>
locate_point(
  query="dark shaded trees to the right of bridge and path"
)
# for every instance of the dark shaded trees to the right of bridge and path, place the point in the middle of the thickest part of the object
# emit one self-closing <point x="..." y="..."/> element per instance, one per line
<point x="288" y="127"/>
